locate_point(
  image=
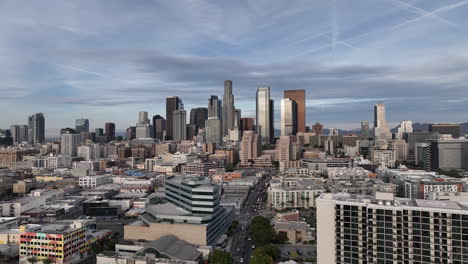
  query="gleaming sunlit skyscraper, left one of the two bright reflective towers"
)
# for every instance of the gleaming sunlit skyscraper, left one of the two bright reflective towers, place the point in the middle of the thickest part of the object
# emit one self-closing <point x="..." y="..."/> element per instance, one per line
<point x="264" y="115"/>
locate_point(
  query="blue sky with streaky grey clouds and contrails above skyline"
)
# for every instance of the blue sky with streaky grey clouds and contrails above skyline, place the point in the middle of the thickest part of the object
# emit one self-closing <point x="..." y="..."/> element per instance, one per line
<point x="106" y="60"/>
